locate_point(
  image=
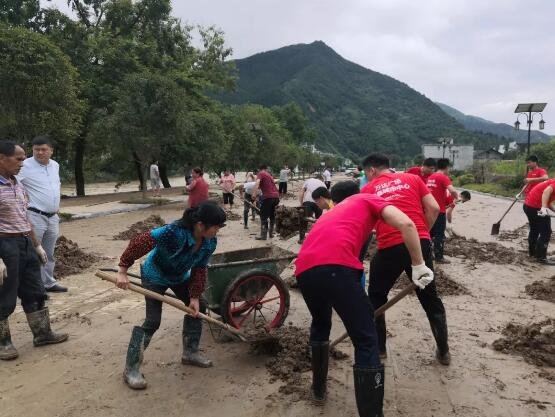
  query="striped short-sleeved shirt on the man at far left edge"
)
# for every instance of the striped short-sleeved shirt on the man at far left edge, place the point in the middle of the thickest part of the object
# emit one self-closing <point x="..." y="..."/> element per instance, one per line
<point x="13" y="207"/>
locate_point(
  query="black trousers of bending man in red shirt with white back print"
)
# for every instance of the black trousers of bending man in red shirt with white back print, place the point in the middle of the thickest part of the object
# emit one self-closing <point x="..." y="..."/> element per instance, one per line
<point x="385" y="268"/>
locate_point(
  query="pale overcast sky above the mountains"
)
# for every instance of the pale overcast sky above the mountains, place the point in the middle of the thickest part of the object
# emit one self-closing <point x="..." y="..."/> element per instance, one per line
<point x="479" y="56"/>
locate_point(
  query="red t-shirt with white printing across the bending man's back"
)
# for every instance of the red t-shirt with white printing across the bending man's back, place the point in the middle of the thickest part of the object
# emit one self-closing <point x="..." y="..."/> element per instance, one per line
<point x="404" y="191"/>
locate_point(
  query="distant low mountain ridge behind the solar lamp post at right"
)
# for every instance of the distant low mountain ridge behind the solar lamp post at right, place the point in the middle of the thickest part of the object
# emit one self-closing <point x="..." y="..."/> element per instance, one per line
<point x="477" y="124"/>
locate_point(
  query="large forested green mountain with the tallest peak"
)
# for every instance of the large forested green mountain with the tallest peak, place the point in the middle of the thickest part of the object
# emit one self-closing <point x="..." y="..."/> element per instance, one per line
<point x="355" y="110"/>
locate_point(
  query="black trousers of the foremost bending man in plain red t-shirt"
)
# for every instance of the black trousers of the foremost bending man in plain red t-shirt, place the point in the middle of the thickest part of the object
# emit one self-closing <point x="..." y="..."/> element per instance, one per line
<point x="333" y="286"/>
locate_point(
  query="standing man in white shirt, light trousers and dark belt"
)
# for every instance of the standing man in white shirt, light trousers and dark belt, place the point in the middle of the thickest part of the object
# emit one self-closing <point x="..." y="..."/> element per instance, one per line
<point x="41" y="179"/>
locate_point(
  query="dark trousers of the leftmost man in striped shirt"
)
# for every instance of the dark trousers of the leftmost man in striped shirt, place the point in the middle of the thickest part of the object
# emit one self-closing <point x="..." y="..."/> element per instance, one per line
<point x="23" y="280"/>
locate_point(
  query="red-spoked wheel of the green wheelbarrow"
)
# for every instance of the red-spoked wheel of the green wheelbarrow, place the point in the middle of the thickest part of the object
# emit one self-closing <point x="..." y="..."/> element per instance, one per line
<point x="255" y="299"/>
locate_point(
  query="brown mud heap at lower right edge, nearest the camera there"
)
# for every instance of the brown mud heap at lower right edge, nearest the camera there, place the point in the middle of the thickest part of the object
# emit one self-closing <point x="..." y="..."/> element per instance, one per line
<point x="535" y="342"/>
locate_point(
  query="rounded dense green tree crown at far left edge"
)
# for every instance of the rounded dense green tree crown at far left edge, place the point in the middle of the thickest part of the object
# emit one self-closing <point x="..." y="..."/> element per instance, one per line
<point x="38" y="84"/>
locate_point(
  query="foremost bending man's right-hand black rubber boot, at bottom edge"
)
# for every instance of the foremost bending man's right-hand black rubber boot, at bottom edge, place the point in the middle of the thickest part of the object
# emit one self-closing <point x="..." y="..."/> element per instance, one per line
<point x="369" y="391"/>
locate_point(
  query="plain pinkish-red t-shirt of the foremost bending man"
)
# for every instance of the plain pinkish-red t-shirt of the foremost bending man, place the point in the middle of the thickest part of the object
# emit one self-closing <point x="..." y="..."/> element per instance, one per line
<point x="337" y="238"/>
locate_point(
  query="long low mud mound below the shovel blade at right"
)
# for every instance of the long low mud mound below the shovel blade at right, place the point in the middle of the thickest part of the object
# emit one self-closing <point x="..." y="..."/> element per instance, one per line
<point x="477" y="252"/>
